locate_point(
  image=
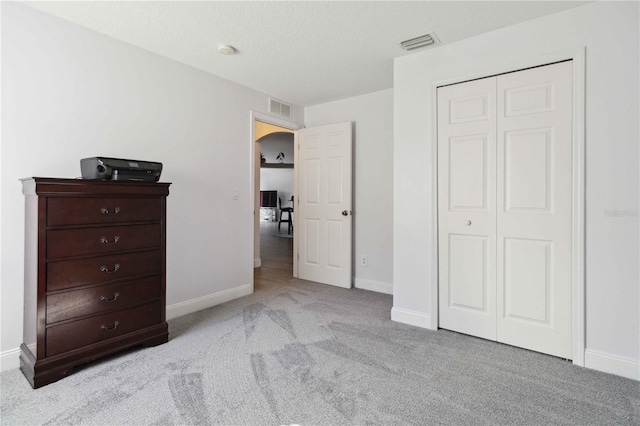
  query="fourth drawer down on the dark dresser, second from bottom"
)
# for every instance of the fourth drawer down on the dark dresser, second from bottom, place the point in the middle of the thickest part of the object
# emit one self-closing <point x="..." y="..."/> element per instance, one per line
<point x="72" y="304"/>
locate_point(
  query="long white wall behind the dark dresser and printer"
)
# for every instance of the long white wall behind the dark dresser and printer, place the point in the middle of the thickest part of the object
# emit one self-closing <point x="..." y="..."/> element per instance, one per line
<point x="70" y="93"/>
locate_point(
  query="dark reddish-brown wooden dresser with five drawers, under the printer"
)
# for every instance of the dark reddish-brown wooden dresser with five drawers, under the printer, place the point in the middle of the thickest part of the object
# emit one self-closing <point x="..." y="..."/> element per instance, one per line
<point x="94" y="272"/>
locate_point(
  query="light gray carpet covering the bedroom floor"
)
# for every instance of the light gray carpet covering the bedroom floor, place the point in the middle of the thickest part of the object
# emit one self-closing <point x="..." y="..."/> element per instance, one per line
<point x="316" y="355"/>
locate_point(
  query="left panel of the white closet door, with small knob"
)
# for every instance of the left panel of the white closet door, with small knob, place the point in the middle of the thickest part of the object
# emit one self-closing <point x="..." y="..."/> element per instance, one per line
<point x="467" y="207"/>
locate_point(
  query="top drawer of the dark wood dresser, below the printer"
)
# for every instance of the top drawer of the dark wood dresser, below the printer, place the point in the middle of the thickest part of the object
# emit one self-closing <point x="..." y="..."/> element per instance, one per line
<point x="80" y="211"/>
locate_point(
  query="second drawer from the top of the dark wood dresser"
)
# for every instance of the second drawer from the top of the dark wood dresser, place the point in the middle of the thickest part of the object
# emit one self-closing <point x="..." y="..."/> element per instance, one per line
<point x="87" y="241"/>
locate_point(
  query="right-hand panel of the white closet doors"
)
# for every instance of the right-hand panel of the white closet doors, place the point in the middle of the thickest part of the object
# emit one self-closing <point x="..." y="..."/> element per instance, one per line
<point x="534" y="146"/>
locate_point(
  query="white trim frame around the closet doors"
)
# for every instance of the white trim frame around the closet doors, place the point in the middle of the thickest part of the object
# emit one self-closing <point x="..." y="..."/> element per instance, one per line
<point x="578" y="56"/>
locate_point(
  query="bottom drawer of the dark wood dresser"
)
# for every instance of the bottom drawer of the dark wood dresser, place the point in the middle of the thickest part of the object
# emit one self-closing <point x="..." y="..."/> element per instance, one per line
<point x="65" y="337"/>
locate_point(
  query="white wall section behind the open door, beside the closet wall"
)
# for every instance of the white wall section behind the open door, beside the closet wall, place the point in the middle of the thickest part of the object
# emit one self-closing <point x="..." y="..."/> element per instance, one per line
<point x="373" y="181"/>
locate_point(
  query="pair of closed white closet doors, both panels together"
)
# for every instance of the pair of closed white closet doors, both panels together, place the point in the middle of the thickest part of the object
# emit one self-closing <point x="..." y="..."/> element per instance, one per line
<point x="504" y="208"/>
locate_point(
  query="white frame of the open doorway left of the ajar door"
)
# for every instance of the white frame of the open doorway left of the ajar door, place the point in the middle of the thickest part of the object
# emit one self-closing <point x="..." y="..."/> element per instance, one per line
<point x="265" y="118"/>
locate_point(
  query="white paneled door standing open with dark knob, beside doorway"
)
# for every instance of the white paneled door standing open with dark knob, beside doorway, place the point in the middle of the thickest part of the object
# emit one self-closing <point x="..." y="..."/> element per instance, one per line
<point x="323" y="205"/>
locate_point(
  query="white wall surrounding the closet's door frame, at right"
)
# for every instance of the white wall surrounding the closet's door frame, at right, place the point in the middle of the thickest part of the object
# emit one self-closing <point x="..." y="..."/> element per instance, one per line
<point x="609" y="31"/>
